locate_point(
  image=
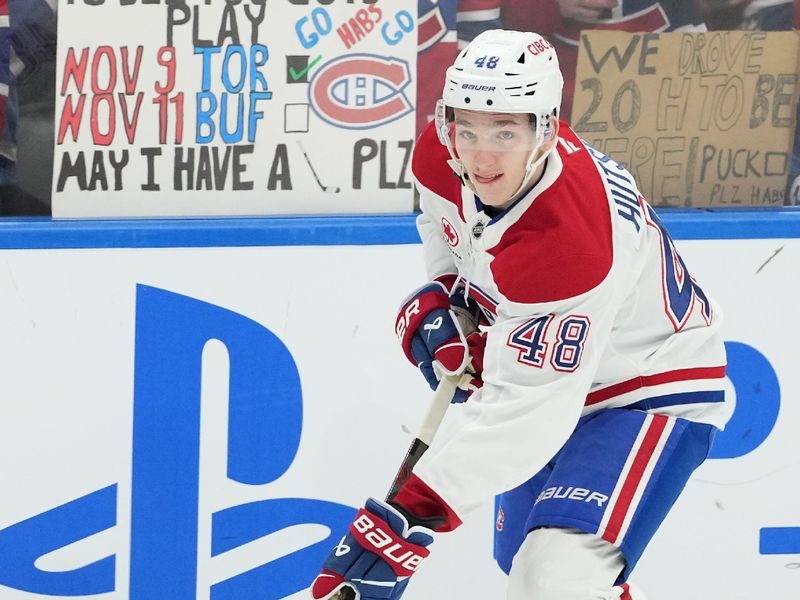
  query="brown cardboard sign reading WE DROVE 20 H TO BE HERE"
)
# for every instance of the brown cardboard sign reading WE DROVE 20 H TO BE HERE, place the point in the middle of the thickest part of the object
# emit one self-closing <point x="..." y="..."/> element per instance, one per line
<point x="700" y="119"/>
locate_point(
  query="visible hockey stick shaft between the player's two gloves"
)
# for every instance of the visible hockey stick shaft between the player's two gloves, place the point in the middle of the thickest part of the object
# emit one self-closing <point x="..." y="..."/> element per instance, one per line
<point x="427" y="429"/>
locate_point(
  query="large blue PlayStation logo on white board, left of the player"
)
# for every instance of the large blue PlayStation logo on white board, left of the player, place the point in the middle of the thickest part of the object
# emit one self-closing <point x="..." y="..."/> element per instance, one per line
<point x="265" y="415"/>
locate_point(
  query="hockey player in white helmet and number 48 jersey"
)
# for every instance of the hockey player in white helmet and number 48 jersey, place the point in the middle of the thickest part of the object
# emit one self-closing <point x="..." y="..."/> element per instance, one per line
<point x="598" y="364"/>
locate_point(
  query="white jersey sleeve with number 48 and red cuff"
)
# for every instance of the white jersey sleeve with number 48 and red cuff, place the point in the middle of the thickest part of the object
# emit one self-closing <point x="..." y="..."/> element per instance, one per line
<point x="538" y="369"/>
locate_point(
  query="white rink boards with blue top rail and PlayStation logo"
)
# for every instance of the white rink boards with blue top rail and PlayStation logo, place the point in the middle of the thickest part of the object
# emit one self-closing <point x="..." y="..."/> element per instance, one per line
<point x="190" y="407"/>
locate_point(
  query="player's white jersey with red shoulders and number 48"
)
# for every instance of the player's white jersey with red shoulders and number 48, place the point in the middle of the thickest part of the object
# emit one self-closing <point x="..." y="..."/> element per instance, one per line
<point x="592" y="308"/>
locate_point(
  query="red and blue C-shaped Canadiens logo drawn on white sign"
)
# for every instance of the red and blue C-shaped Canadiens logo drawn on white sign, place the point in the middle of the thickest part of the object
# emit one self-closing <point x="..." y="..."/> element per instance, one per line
<point x="360" y="91"/>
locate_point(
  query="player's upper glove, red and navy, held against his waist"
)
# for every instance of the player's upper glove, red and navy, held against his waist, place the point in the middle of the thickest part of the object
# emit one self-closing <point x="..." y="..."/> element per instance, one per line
<point x="429" y="331"/>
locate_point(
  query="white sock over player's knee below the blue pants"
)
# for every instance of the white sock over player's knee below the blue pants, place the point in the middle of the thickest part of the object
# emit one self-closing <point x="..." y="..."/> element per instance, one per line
<point x="565" y="564"/>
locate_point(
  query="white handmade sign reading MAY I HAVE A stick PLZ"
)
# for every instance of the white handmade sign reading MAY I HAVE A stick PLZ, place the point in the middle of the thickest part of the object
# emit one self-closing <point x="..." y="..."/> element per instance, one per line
<point x="192" y="107"/>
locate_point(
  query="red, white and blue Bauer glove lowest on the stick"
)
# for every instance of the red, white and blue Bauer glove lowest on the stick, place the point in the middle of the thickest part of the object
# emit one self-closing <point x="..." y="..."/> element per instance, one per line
<point x="376" y="557"/>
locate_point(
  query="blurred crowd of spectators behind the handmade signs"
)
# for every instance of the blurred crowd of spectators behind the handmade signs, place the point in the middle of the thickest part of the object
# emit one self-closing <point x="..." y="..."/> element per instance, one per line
<point x="28" y="54"/>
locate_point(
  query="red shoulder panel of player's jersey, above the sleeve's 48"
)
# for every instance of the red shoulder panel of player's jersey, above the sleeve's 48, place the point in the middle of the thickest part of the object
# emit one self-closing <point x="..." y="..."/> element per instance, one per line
<point x="562" y="245"/>
